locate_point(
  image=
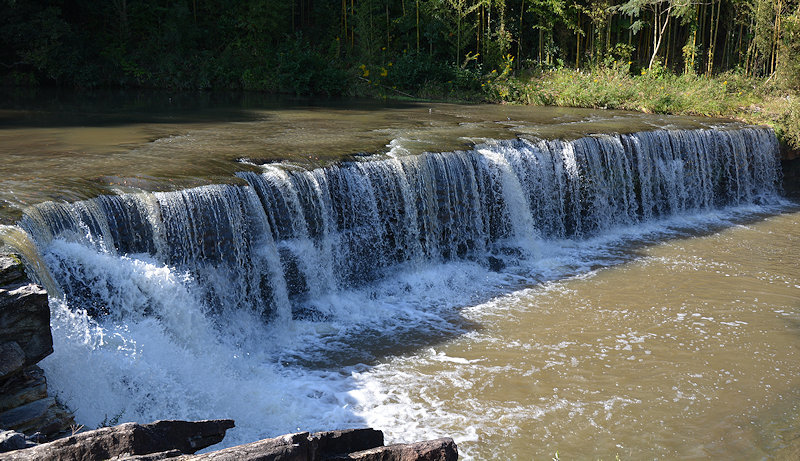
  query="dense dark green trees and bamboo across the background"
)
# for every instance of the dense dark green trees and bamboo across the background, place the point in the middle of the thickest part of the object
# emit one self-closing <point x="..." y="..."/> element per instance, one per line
<point x="316" y="46"/>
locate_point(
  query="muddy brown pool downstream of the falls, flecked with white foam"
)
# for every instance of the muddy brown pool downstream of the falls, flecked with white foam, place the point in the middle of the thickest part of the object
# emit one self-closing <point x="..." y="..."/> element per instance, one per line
<point x="689" y="351"/>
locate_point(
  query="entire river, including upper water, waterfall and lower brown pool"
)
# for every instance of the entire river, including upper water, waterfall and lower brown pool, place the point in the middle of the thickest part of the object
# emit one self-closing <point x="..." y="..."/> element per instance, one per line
<point x="531" y="282"/>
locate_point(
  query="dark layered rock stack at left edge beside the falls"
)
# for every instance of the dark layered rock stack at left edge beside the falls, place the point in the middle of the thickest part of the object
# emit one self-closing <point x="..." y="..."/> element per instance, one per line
<point x="25" y="339"/>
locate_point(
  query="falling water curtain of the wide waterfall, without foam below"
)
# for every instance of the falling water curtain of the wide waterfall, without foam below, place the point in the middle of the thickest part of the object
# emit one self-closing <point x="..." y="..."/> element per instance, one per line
<point x="293" y="234"/>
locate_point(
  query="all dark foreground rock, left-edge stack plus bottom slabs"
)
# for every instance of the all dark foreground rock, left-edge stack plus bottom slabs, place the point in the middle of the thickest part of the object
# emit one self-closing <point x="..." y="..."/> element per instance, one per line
<point x="28" y="416"/>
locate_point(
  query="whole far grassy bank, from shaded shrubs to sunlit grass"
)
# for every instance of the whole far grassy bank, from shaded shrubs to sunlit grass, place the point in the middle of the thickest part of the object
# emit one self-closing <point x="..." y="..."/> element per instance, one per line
<point x="613" y="86"/>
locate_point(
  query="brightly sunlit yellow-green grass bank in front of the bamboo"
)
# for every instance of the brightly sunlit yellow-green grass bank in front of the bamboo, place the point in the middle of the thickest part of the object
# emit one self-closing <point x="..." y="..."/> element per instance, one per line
<point x="755" y="101"/>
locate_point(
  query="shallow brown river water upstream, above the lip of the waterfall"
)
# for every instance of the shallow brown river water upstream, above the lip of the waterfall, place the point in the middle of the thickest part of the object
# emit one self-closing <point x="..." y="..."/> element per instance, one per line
<point x="66" y="147"/>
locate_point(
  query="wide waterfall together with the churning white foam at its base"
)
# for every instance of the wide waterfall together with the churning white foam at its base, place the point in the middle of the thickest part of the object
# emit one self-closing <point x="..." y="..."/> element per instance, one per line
<point x="269" y="302"/>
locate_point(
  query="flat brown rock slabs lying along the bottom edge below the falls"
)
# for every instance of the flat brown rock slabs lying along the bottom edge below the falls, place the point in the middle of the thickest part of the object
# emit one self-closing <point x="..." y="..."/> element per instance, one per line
<point x="179" y="440"/>
